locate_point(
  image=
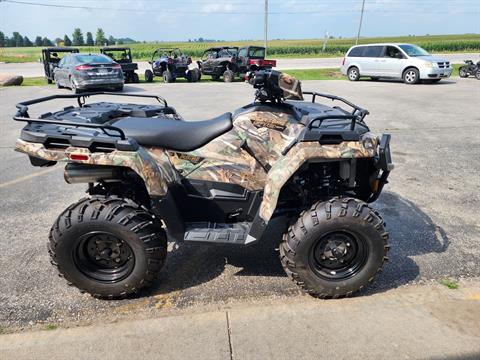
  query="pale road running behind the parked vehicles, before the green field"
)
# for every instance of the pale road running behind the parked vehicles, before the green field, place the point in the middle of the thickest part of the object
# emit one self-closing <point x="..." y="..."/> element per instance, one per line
<point x="34" y="69"/>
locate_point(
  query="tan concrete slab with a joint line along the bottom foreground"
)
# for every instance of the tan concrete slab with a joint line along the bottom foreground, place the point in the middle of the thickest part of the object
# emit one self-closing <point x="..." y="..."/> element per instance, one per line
<point x="414" y="322"/>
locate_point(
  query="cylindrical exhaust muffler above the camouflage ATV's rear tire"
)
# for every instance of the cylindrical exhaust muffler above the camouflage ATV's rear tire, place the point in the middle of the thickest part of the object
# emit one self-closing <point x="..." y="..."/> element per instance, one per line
<point x="84" y="173"/>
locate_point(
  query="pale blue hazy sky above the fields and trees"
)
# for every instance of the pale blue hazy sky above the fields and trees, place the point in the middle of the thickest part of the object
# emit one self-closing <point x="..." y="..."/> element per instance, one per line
<point x="240" y="19"/>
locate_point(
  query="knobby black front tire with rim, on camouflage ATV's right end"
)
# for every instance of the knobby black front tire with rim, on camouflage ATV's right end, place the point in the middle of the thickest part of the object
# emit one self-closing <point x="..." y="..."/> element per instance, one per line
<point x="336" y="248"/>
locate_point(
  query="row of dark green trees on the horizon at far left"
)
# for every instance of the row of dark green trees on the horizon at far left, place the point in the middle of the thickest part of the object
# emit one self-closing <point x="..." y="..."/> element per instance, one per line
<point x="17" y="40"/>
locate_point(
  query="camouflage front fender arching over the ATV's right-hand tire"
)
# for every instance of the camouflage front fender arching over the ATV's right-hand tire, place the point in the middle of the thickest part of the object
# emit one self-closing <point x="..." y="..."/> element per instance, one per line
<point x="301" y="153"/>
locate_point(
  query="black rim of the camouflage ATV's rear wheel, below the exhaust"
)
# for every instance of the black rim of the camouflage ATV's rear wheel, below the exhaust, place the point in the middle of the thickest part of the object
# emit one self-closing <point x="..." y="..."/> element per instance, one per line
<point x="103" y="257"/>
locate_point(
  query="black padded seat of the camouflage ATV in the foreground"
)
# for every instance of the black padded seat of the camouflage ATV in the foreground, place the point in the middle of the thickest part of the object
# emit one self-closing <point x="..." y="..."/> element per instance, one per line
<point x="173" y="134"/>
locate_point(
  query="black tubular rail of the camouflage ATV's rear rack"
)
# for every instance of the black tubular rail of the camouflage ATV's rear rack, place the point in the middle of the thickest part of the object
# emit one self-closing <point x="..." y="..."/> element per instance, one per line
<point x="22" y="113"/>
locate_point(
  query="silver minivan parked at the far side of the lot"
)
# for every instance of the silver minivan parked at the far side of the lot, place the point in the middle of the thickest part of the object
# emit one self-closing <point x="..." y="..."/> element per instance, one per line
<point x="398" y="61"/>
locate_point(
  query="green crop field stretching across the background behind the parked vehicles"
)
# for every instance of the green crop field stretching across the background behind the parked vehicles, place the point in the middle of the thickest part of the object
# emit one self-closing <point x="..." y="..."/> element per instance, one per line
<point x="276" y="48"/>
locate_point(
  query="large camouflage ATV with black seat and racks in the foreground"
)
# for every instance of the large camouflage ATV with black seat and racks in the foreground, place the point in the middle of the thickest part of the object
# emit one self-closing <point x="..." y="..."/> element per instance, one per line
<point x="152" y="175"/>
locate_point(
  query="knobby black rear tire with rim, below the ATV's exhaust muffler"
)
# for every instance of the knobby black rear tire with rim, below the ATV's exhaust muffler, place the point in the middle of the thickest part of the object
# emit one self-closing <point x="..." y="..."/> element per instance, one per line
<point x="108" y="246"/>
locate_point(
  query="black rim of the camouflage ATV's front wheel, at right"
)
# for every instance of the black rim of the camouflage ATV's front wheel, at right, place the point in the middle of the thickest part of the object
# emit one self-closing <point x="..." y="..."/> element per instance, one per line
<point x="338" y="255"/>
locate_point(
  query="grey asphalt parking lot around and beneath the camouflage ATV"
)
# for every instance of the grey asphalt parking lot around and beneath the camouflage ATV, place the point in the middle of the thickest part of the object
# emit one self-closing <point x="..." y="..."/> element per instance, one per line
<point x="430" y="205"/>
